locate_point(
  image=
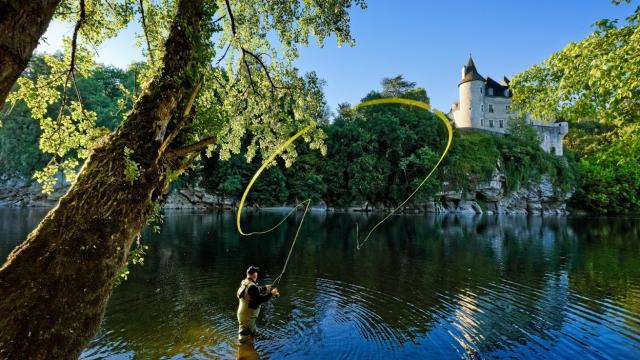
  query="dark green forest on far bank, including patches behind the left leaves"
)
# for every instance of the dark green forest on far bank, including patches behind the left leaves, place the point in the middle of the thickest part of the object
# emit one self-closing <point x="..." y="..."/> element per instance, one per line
<point x="376" y="155"/>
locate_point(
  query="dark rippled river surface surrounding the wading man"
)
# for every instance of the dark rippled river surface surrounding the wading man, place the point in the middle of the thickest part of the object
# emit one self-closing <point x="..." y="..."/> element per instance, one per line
<point x="440" y="287"/>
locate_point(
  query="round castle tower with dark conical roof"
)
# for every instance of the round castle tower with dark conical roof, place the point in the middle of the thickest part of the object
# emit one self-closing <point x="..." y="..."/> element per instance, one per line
<point x="471" y="90"/>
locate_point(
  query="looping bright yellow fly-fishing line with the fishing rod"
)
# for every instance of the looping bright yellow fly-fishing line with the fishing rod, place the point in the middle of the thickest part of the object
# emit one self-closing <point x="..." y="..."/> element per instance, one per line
<point x="307" y="203"/>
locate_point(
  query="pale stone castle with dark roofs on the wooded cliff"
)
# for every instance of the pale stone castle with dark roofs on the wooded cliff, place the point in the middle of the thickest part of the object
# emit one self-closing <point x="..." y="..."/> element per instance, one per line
<point x="485" y="104"/>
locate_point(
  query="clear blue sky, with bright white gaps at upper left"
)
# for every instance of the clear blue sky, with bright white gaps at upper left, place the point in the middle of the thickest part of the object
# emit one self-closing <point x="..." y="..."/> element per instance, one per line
<point x="425" y="41"/>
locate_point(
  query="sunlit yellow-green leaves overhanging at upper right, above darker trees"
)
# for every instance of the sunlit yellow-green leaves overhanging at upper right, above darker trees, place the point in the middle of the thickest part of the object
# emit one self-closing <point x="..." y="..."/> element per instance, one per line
<point x="595" y="78"/>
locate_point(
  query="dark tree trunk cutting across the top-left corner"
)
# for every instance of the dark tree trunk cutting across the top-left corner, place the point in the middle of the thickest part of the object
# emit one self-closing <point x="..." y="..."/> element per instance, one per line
<point x="22" y="23"/>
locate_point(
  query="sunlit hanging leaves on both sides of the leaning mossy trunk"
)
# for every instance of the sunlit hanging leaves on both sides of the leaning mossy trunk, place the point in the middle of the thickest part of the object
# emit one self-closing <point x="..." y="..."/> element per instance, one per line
<point x="250" y="87"/>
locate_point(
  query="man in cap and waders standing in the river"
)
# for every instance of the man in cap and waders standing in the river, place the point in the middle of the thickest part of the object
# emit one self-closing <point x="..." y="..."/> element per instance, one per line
<point x="251" y="296"/>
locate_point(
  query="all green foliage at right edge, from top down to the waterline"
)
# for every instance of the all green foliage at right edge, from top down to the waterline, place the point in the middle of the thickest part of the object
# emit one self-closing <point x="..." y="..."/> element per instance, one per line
<point x="594" y="84"/>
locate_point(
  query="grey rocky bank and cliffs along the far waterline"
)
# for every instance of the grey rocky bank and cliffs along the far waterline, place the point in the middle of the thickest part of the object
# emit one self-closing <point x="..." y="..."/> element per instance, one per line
<point x="538" y="198"/>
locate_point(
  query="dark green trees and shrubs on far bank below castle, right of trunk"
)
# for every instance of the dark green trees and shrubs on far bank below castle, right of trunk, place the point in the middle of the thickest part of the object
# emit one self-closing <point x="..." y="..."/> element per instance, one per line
<point x="380" y="154"/>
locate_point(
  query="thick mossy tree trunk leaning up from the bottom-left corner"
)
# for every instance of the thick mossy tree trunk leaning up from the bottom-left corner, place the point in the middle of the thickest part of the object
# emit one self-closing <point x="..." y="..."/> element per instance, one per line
<point x="54" y="287"/>
